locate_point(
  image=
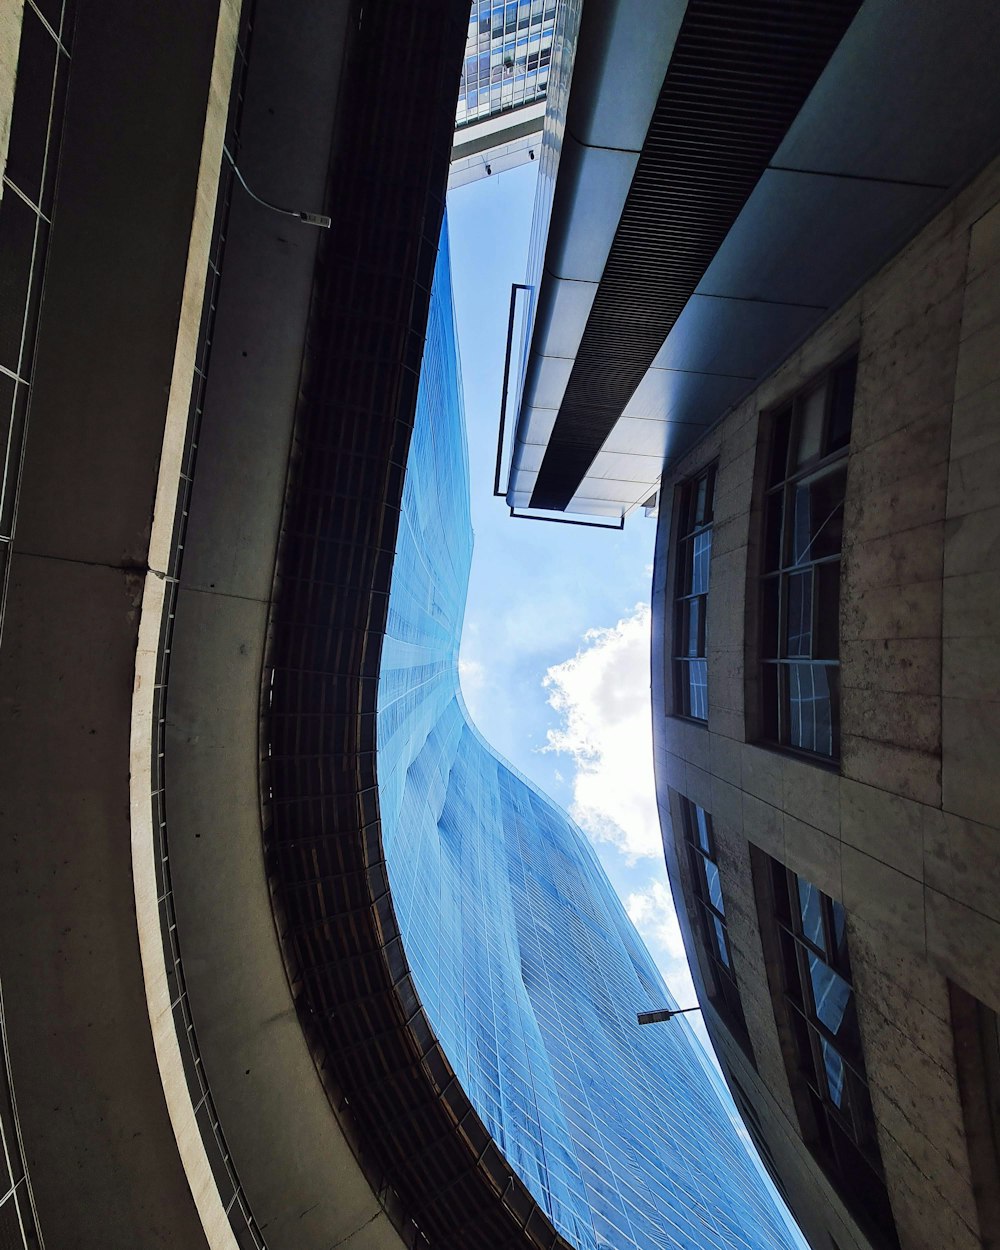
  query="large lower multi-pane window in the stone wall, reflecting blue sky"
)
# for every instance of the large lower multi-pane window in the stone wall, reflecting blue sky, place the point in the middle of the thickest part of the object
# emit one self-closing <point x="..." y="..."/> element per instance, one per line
<point x="829" y="1068"/>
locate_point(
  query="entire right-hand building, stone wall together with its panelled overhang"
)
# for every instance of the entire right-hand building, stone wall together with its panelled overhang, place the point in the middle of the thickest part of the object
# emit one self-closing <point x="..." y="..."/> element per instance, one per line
<point x="779" y="328"/>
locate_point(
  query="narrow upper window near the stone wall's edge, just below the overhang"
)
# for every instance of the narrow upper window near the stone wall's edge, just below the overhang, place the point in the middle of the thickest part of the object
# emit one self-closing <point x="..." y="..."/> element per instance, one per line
<point x="694" y="557"/>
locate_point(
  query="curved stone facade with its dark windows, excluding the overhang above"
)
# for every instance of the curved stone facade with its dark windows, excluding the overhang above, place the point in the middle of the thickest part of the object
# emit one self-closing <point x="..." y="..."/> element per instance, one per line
<point x="827" y="629"/>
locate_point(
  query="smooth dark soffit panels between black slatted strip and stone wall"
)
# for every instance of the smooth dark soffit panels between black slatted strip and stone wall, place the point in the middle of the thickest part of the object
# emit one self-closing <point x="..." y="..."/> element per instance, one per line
<point x="907" y="109"/>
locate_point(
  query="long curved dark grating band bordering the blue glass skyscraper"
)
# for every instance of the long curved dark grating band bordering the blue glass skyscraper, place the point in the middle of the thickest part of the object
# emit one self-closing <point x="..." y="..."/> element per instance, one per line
<point x="427" y="1154"/>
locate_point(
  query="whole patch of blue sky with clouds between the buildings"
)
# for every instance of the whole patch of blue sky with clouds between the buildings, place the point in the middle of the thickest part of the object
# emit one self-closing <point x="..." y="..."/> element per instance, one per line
<point x="556" y="651"/>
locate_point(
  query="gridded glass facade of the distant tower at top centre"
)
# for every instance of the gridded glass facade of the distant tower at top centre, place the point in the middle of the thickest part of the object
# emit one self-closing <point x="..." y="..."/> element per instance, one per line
<point x="507" y="57"/>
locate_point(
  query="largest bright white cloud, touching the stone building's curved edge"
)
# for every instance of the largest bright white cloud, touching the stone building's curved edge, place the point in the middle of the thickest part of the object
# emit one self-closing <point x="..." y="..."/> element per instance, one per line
<point x="602" y="697"/>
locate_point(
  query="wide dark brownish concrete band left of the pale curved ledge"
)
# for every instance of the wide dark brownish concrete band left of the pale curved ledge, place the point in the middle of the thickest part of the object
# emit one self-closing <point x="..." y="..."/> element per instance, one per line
<point x="99" y="1144"/>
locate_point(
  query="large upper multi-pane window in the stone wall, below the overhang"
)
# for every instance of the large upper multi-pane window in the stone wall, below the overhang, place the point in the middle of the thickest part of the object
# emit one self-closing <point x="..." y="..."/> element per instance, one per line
<point x="801" y="586"/>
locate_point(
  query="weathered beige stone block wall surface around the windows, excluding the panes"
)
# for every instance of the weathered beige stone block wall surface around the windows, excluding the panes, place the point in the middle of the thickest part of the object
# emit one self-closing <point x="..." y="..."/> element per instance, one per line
<point x="906" y="832"/>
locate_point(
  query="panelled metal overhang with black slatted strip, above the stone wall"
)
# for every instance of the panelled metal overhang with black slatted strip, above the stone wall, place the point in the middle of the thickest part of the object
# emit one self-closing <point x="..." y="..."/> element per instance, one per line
<point x="756" y="173"/>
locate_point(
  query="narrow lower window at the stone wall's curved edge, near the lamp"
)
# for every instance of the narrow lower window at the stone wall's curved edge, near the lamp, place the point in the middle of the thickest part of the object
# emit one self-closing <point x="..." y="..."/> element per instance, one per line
<point x="723" y="989"/>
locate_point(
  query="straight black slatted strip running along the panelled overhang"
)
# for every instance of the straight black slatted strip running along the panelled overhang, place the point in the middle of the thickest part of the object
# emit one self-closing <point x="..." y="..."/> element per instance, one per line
<point x="739" y="74"/>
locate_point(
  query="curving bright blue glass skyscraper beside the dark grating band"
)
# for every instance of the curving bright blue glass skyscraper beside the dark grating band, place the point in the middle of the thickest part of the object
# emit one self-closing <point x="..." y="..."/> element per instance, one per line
<point x="526" y="961"/>
